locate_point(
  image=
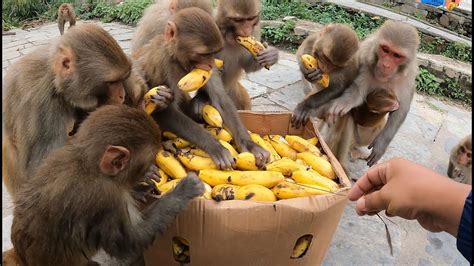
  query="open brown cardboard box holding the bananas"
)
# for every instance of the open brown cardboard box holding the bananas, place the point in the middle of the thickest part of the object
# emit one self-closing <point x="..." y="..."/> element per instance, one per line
<point x="248" y="233"/>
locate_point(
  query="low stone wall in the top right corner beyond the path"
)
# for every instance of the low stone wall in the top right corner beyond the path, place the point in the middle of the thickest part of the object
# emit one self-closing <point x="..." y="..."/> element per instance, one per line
<point x="456" y="20"/>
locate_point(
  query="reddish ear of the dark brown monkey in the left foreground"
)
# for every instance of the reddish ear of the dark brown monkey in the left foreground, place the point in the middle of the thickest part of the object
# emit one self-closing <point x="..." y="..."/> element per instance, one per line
<point x="114" y="160"/>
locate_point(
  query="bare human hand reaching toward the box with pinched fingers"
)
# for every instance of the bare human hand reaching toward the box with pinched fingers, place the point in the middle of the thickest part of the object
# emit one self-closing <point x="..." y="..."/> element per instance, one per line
<point x="408" y="190"/>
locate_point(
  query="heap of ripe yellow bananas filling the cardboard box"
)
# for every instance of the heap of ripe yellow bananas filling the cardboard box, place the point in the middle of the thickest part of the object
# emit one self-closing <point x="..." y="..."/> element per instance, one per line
<point x="296" y="167"/>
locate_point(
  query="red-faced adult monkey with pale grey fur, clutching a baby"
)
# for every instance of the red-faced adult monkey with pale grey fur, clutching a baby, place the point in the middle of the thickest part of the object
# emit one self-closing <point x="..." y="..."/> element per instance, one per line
<point x="387" y="61"/>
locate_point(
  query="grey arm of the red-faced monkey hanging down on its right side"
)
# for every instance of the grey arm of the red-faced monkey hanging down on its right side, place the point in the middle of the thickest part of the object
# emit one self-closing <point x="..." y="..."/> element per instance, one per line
<point x="395" y="120"/>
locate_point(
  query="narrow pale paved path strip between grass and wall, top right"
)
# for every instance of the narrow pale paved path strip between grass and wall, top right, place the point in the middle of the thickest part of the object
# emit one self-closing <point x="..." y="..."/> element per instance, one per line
<point x="424" y="27"/>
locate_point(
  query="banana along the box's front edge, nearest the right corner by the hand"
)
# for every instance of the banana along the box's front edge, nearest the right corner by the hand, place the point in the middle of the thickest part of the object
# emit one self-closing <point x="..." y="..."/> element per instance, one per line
<point x="288" y="190"/>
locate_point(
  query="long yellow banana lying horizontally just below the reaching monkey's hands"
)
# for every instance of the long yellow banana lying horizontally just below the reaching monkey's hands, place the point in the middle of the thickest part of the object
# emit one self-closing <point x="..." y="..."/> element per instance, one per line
<point x="241" y="178"/>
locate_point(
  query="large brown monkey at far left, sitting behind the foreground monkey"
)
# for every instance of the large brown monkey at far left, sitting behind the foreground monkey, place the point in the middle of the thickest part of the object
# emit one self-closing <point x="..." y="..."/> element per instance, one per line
<point x="45" y="87"/>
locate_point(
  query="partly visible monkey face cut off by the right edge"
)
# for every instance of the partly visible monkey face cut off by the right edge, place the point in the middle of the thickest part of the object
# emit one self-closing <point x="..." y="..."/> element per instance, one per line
<point x="460" y="160"/>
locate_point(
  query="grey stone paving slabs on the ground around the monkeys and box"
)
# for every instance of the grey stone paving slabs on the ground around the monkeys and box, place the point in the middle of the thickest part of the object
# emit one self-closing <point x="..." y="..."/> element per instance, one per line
<point x="432" y="128"/>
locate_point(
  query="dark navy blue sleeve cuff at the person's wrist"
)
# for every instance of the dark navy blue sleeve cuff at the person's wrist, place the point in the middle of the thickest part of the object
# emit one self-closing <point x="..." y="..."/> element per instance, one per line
<point x="464" y="239"/>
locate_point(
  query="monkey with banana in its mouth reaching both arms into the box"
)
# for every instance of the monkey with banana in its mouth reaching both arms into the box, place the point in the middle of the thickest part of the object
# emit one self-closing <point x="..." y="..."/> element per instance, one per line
<point x="191" y="40"/>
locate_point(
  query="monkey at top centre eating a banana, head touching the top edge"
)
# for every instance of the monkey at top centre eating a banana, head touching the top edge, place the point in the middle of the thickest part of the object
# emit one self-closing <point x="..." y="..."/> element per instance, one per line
<point x="240" y="18"/>
